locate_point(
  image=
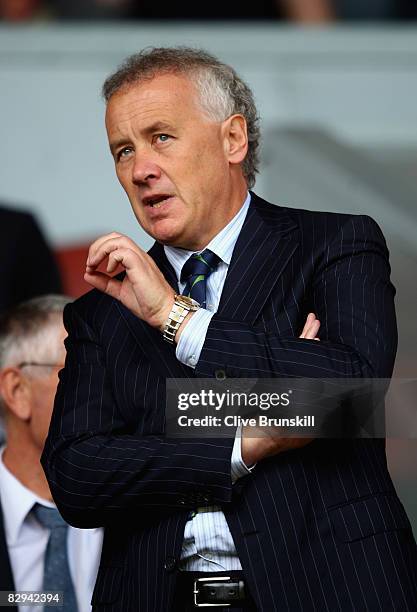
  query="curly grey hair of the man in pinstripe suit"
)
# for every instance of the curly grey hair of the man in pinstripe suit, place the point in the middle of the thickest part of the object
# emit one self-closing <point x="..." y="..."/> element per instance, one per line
<point x="221" y="91"/>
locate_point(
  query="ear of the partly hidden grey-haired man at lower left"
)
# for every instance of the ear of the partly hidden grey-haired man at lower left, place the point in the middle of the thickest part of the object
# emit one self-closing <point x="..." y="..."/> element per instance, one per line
<point x="16" y="392"/>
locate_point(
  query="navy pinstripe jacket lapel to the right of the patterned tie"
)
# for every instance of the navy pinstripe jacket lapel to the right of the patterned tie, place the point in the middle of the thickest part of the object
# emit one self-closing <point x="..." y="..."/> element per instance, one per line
<point x="268" y="239"/>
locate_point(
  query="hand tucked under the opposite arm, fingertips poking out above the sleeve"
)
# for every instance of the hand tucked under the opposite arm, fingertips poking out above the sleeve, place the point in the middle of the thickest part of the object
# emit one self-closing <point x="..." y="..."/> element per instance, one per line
<point x="261" y="442"/>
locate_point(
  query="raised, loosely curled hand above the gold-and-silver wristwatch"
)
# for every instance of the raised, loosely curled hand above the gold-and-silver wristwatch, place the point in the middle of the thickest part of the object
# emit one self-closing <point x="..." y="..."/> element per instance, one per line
<point x="143" y="290"/>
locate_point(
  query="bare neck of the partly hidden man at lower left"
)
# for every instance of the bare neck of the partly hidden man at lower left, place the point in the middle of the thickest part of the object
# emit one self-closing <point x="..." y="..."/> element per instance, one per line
<point x="22" y="458"/>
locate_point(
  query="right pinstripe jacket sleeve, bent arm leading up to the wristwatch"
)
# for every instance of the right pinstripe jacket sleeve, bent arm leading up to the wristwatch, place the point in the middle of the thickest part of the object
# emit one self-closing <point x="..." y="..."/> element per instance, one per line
<point x="352" y="296"/>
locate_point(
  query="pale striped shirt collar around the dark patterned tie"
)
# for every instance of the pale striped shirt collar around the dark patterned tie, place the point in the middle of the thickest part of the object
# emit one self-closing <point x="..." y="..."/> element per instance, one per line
<point x="222" y="244"/>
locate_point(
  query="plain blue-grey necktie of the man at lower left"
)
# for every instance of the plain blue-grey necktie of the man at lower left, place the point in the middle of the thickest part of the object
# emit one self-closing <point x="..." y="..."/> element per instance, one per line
<point x="56" y="575"/>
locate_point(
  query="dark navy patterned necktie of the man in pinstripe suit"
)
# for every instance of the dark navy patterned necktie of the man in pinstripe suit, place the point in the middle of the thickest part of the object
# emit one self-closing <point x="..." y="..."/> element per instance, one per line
<point x="195" y="272"/>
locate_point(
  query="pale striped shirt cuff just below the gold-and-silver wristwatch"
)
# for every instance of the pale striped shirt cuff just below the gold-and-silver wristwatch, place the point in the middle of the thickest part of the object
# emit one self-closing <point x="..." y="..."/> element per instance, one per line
<point x="192" y="338"/>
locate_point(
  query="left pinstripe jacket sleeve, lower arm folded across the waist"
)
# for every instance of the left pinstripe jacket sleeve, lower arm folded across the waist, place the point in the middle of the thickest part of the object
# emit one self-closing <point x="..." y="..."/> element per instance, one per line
<point x="97" y="470"/>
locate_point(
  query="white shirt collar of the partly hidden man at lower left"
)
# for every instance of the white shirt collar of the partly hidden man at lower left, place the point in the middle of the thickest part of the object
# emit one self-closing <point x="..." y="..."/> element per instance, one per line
<point x="17" y="502"/>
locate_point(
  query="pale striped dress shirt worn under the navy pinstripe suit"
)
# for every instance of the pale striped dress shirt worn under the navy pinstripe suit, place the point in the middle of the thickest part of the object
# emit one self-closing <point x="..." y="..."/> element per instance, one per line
<point x="208" y="544"/>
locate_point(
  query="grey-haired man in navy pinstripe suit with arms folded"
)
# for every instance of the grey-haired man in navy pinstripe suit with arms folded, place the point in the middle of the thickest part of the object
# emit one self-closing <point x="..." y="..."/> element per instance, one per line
<point x="311" y="526"/>
